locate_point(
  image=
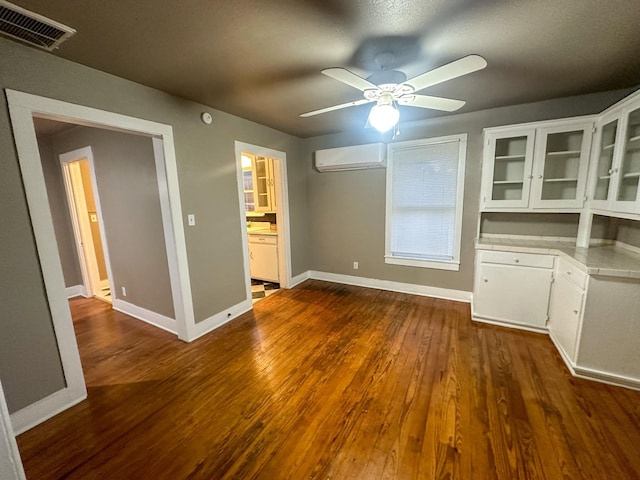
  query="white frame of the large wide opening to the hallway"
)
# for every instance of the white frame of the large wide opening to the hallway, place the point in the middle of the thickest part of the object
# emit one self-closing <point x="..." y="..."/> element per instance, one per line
<point x="22" y="108"/>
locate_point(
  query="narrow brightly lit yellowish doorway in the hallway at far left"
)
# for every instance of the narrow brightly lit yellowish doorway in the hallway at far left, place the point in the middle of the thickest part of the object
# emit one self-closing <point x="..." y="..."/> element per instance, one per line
<point x="87" y="222"/>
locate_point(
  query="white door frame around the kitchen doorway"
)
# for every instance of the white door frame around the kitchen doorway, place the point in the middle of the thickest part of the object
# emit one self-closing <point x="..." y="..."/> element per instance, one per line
<point x="282" y="202"/>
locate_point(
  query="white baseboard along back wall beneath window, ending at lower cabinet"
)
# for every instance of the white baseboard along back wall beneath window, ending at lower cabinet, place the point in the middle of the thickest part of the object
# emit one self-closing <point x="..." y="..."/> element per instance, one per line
<point x="423" y="290"/>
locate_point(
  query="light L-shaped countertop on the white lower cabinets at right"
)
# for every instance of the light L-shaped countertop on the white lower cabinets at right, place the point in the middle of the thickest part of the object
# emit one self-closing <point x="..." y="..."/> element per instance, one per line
<point x="599" y="259"/>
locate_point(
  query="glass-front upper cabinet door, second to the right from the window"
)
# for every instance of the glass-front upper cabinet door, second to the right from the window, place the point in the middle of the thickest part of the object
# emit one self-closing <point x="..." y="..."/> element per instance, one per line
<point x="561" y="165"/>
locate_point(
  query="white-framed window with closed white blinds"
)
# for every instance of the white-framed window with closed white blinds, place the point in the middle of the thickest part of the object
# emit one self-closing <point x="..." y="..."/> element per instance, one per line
<point x="425" y="185"/>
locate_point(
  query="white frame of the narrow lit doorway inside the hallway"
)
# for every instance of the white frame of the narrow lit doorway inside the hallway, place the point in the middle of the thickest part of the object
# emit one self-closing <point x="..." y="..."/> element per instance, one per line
<point x="81" y="227"/>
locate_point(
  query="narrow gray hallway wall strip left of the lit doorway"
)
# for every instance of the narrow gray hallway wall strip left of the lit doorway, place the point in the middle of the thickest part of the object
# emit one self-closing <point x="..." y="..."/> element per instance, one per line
<point x="59" y="207"/>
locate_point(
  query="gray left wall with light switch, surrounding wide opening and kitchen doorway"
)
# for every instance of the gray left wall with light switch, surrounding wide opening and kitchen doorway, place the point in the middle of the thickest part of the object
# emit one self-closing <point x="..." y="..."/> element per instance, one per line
<point x="30" y="368"/>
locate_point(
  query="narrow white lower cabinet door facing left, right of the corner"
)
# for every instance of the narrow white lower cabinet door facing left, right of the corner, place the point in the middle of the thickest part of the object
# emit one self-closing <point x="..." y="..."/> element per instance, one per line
<point x="566" y="308"/>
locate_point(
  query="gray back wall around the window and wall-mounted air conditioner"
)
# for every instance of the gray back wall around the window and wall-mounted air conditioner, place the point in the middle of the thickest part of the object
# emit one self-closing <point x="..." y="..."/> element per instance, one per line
<point x="348" y="208"/>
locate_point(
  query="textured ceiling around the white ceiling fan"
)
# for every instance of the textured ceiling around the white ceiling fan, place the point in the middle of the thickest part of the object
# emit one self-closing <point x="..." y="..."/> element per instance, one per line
<point x="261" y="60"/>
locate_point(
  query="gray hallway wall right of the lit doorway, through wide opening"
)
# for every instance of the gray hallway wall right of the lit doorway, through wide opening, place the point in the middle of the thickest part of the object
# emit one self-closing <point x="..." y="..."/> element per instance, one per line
<point x="128" y="190"/>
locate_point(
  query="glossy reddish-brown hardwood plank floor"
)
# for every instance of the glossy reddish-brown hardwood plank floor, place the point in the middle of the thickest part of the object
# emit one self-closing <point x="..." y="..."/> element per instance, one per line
<point x="329" y="381"/>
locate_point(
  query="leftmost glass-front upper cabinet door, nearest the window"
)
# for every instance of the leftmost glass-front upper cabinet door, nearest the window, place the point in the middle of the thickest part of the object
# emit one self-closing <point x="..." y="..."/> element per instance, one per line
<point x="507" y="168"/>
